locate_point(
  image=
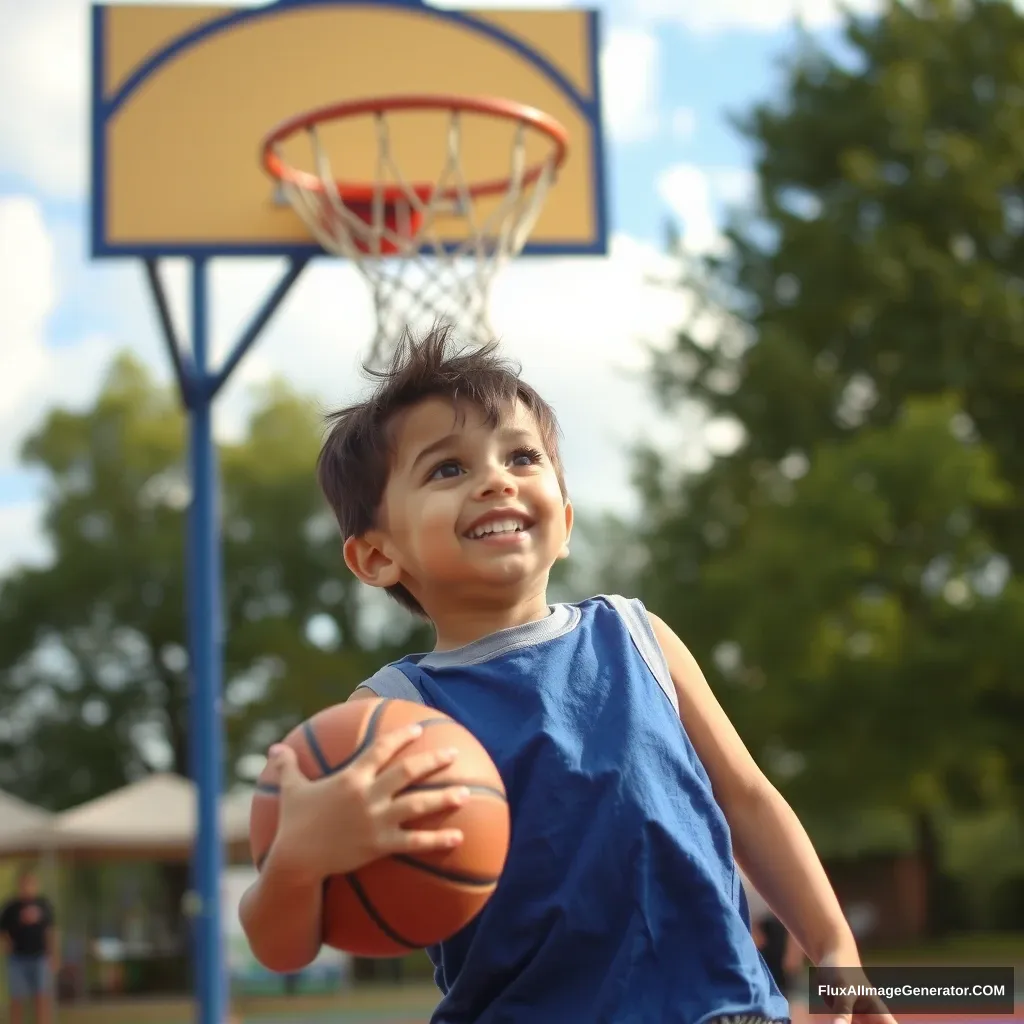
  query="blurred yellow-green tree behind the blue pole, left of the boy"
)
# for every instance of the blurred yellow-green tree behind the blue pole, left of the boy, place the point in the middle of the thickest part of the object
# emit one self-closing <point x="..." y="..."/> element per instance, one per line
<point x="94" y="662"/>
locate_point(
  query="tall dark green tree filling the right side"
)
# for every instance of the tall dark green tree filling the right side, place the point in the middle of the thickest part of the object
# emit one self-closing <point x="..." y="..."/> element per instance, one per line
<point x="850" y="573"/>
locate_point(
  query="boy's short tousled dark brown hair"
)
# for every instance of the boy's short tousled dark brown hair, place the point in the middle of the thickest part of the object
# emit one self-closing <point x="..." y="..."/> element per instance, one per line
<point x="358" y="456"/>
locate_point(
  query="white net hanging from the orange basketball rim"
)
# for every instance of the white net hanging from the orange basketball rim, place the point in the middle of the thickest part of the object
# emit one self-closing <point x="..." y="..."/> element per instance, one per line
<point x="397" y="241"/>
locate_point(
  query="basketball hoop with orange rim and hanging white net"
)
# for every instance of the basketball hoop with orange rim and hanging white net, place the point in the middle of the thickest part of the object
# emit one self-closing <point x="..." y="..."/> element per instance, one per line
<point x="390" y="228"/>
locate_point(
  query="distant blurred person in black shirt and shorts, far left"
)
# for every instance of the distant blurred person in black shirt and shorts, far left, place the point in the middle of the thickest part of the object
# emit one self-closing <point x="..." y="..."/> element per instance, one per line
<point x="27" y="933"/>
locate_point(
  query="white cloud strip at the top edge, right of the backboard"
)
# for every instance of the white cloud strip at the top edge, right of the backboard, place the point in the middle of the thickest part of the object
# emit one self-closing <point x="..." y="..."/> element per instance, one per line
<point x="755" y="16"/>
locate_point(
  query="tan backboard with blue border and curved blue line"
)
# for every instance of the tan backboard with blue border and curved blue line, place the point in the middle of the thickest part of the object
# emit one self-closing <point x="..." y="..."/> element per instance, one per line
<point x="184" y="95"/>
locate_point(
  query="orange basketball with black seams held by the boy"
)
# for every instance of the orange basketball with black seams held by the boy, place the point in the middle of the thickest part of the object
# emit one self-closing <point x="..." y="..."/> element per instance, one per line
<point x="405" y="903"/>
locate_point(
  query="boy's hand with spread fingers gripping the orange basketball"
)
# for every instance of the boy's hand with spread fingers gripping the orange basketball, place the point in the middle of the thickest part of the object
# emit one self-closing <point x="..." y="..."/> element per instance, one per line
<point x="337" y="825"/>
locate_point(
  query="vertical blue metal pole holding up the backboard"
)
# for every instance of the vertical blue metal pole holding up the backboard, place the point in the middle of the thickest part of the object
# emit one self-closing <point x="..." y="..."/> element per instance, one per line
<point x="205" y="603"/>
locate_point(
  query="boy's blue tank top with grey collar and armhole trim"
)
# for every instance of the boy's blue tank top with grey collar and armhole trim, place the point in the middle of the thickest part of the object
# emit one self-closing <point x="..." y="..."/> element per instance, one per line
<point x="620" y="903"/>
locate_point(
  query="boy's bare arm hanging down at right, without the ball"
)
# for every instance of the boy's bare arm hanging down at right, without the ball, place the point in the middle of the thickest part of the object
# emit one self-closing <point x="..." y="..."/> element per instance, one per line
<point x="771" y="844"/>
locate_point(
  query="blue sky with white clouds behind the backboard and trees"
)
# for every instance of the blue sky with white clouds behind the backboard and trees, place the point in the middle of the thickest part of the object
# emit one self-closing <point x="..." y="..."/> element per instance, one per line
<point x="673" y="72"/>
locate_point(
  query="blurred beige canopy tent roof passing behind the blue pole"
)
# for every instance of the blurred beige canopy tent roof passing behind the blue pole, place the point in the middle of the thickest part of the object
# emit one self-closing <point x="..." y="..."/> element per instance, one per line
<point x="154" y="819"/>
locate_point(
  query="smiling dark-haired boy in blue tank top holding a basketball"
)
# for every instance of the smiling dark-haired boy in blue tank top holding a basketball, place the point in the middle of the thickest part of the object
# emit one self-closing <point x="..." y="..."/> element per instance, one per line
<point x="629" y="790"/>
